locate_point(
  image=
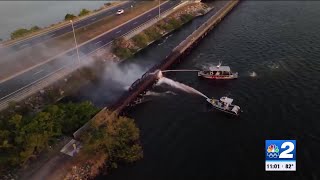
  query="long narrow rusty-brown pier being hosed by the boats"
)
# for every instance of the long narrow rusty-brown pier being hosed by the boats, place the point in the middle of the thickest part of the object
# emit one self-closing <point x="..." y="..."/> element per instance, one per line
<point x="141" y="85"/>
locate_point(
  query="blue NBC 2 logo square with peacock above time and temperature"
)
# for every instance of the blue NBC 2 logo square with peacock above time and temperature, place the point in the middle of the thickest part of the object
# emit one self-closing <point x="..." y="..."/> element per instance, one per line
<point x="280" y="150"/>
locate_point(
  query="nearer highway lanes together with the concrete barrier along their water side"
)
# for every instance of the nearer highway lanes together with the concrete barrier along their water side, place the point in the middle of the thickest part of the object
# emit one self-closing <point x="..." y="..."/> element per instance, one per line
<point x="26" y="81"/>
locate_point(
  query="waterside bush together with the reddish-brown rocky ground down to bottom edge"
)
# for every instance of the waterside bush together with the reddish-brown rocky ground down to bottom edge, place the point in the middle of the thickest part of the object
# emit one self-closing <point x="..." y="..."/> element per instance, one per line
<point x="112" y="140"/>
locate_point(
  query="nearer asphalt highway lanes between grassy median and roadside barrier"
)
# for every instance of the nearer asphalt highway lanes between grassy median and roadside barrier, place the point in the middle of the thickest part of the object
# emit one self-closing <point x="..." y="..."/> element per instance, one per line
<point x="25" y="79"/>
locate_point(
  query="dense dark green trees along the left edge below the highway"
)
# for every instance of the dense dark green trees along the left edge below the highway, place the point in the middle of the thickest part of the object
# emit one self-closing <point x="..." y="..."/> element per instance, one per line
<point x="22" y="138"/>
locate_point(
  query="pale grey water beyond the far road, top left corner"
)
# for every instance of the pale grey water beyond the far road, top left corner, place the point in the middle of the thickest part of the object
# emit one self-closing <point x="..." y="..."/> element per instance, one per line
<point x="25" y="14"/>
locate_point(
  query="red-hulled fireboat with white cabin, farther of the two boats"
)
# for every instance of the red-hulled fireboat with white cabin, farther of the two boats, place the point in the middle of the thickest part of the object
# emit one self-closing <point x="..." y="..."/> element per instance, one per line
<point x="218" y="72"/>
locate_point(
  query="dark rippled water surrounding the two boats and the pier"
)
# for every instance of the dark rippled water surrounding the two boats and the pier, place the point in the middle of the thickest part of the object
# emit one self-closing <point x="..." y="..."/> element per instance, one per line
<point x="183" y="139"/>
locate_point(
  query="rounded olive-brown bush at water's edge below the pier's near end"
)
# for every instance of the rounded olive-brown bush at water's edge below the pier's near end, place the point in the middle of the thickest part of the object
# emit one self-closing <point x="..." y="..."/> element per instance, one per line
<point x="117" y="137"/>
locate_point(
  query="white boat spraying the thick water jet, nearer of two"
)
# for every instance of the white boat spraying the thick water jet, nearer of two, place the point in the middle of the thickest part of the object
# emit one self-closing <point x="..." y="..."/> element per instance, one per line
<point x="225" y="104"/>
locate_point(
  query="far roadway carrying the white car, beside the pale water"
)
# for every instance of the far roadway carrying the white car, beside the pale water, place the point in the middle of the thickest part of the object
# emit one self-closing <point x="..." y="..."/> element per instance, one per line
<point x="58" y="32"/>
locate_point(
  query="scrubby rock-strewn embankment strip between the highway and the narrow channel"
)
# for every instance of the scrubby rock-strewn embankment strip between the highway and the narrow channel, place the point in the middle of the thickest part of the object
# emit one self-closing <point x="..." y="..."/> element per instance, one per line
<point x="127" y="48"/>
